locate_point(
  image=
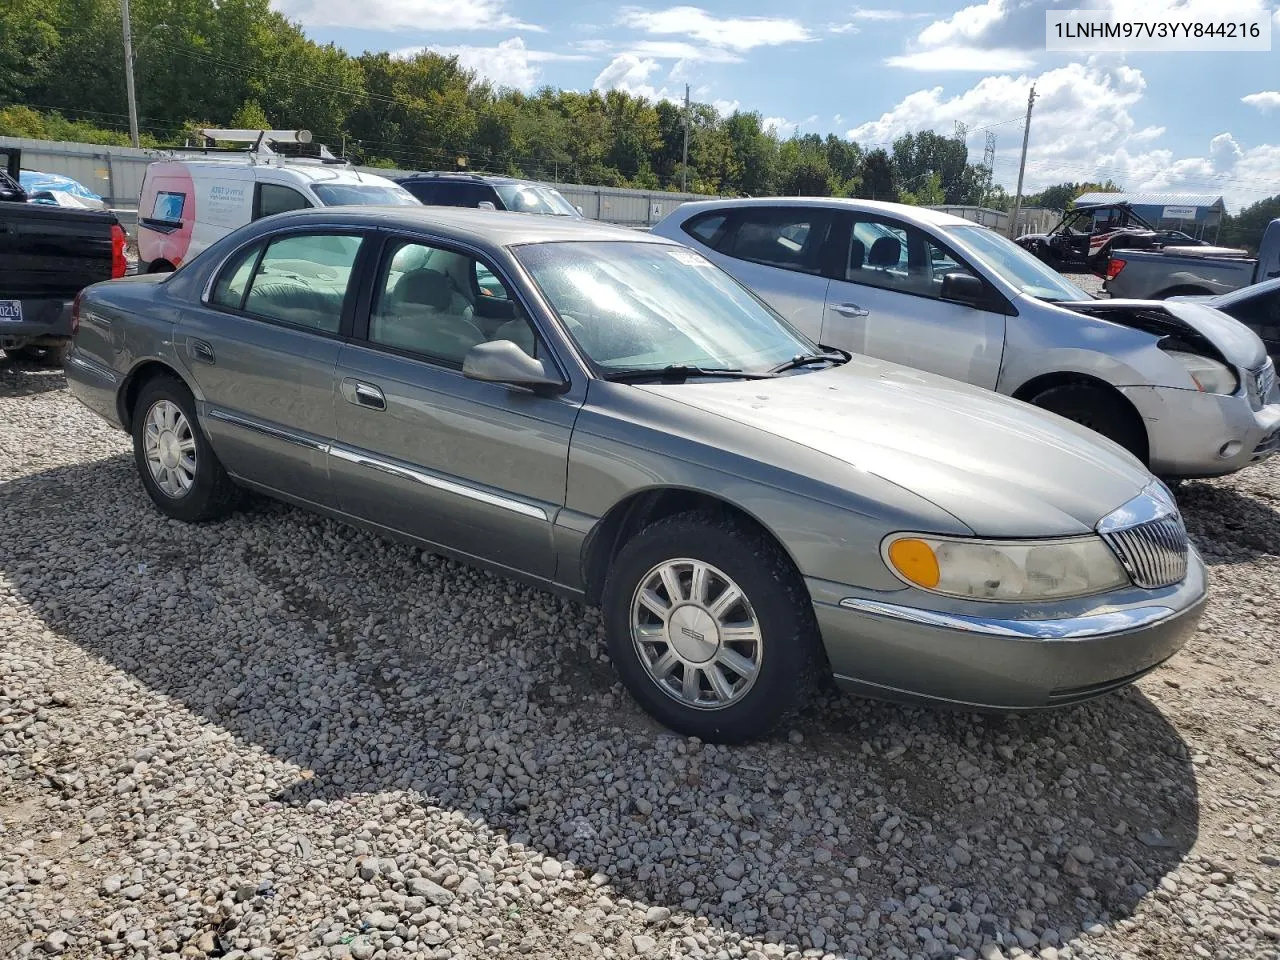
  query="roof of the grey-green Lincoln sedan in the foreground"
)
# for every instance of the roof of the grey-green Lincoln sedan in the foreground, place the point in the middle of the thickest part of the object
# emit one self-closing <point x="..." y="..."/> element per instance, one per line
<point x="495" y="228"/>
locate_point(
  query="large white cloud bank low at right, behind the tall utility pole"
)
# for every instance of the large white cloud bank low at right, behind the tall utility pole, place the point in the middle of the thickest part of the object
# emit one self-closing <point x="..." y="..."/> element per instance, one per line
<point x="1076" y="98"/>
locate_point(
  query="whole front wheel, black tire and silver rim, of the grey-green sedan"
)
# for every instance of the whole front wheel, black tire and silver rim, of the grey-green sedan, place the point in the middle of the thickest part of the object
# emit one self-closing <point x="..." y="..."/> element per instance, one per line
<point x="785" y="653"/>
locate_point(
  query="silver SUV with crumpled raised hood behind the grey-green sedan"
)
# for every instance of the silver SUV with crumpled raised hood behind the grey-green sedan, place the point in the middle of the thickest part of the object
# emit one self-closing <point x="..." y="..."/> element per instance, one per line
<point x="1183" y="387"/>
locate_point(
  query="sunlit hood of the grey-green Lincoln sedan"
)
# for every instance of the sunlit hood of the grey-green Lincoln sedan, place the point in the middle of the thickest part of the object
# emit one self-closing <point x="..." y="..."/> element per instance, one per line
<point x="1000" y="467"/>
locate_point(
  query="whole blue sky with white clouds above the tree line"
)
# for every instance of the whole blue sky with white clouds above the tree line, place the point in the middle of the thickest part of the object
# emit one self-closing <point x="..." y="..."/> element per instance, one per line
<point x="1194" y="122"/>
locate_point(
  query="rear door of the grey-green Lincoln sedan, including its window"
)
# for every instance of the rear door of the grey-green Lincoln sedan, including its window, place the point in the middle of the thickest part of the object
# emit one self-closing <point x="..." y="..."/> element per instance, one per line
<point x="263" y="349"/>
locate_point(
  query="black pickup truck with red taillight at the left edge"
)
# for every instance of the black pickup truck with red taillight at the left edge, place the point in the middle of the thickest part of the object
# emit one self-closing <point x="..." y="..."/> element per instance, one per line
<point x="48" y="255"/>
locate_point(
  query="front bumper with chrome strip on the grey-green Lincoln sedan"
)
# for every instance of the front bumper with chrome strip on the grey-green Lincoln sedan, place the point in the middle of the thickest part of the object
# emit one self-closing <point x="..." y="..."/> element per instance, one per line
<point x="982" y="656"/>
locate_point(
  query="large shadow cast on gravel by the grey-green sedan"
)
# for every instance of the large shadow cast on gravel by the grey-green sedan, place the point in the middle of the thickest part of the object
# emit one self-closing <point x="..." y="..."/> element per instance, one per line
<point x="374" y="669"/>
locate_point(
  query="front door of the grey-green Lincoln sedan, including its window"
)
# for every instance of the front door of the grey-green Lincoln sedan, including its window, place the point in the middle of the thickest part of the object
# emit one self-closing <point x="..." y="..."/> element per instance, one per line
<point x="477" y="468"/>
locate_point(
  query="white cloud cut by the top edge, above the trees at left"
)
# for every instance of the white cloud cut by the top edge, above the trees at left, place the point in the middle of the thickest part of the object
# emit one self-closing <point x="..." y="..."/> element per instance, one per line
<point x="405" y="15"/>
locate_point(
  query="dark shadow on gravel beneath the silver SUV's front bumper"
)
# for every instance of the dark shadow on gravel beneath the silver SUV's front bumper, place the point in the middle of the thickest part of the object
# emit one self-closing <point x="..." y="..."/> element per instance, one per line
<point x="1229" y="527"/>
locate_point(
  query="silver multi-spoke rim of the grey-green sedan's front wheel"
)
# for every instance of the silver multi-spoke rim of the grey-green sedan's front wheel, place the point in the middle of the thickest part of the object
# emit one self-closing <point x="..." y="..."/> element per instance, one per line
<point x="696" y="634"/>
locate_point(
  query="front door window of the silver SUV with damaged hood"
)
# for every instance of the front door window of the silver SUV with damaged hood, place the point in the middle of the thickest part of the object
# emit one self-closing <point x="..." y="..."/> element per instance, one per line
<point x="899" y="258"/>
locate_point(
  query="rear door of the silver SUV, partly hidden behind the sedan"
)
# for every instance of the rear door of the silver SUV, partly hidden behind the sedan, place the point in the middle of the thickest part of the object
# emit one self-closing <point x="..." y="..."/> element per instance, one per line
<point x="776" y="252"/>
